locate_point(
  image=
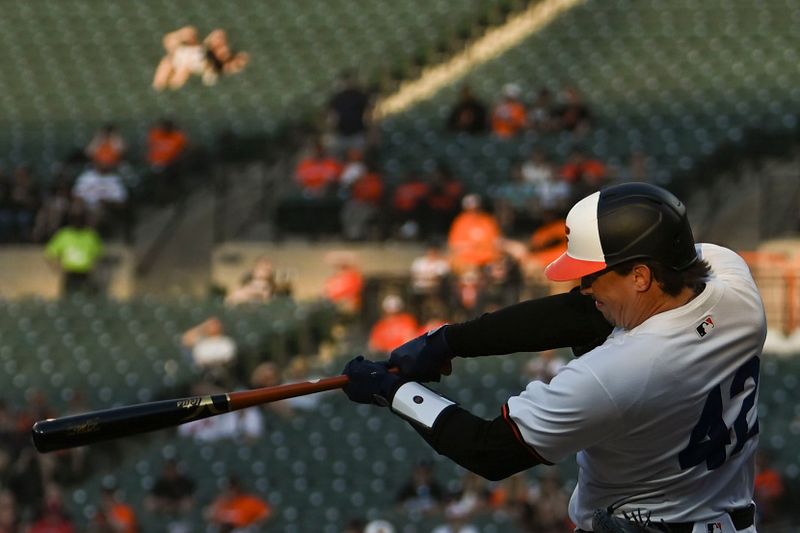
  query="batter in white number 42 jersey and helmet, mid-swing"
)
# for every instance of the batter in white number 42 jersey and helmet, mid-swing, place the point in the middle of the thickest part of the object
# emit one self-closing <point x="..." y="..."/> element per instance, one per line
<point x="661" y="408"/>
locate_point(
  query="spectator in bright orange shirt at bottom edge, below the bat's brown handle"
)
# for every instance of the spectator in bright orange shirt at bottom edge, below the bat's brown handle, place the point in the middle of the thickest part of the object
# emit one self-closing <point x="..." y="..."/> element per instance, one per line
<point x="236" y="509"/>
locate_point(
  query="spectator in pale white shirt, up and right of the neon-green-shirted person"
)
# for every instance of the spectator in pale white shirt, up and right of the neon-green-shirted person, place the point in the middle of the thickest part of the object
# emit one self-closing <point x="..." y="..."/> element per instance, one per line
<point x="104" y="195"/>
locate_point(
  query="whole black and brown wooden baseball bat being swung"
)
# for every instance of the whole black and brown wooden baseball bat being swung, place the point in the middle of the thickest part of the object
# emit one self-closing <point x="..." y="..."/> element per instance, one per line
<point x="106" y="424"/>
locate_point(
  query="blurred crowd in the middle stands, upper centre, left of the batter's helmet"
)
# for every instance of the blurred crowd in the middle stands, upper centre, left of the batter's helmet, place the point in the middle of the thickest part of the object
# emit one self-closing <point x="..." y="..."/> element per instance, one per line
<point x="341" y="187"/>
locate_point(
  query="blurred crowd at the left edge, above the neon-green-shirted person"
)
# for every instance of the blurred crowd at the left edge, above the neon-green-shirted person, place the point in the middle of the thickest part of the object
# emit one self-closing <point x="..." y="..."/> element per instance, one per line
<point x="103" y="182"/>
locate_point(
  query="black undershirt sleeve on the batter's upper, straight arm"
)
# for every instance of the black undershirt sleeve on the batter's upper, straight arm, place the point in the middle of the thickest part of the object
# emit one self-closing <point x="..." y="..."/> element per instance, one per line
<point x="563" y="320"/>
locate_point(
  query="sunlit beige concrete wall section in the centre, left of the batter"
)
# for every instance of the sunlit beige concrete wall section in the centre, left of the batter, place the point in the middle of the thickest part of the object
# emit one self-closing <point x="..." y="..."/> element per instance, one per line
<point x="309" y="266"/>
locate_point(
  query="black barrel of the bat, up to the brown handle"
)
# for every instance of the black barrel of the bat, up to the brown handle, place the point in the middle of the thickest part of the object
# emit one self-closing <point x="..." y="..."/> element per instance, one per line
<point x="79" y="430"/>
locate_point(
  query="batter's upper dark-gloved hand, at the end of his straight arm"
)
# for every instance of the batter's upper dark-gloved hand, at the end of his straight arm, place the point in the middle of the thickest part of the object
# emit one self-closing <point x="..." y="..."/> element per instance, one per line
<point x="425" y="358"/>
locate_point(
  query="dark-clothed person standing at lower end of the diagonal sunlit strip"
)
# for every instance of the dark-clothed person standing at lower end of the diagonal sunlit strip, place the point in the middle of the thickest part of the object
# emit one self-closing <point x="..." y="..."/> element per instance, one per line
<point x="349" y="114"/>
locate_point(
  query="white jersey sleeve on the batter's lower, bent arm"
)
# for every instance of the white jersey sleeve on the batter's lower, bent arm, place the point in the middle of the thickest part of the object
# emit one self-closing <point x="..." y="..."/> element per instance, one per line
<point x="571" y="413"/>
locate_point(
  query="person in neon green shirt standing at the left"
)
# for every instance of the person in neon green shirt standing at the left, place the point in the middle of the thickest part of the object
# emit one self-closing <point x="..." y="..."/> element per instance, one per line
<point x="74" y="251"/>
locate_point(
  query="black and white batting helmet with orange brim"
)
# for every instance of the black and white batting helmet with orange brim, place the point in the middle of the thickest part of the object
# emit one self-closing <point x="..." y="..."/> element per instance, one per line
<point x="628" y="221"/>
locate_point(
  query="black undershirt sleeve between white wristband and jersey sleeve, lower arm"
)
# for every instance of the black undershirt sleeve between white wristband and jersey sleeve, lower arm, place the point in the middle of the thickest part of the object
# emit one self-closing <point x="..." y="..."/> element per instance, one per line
<point x="490" y="448"/>
